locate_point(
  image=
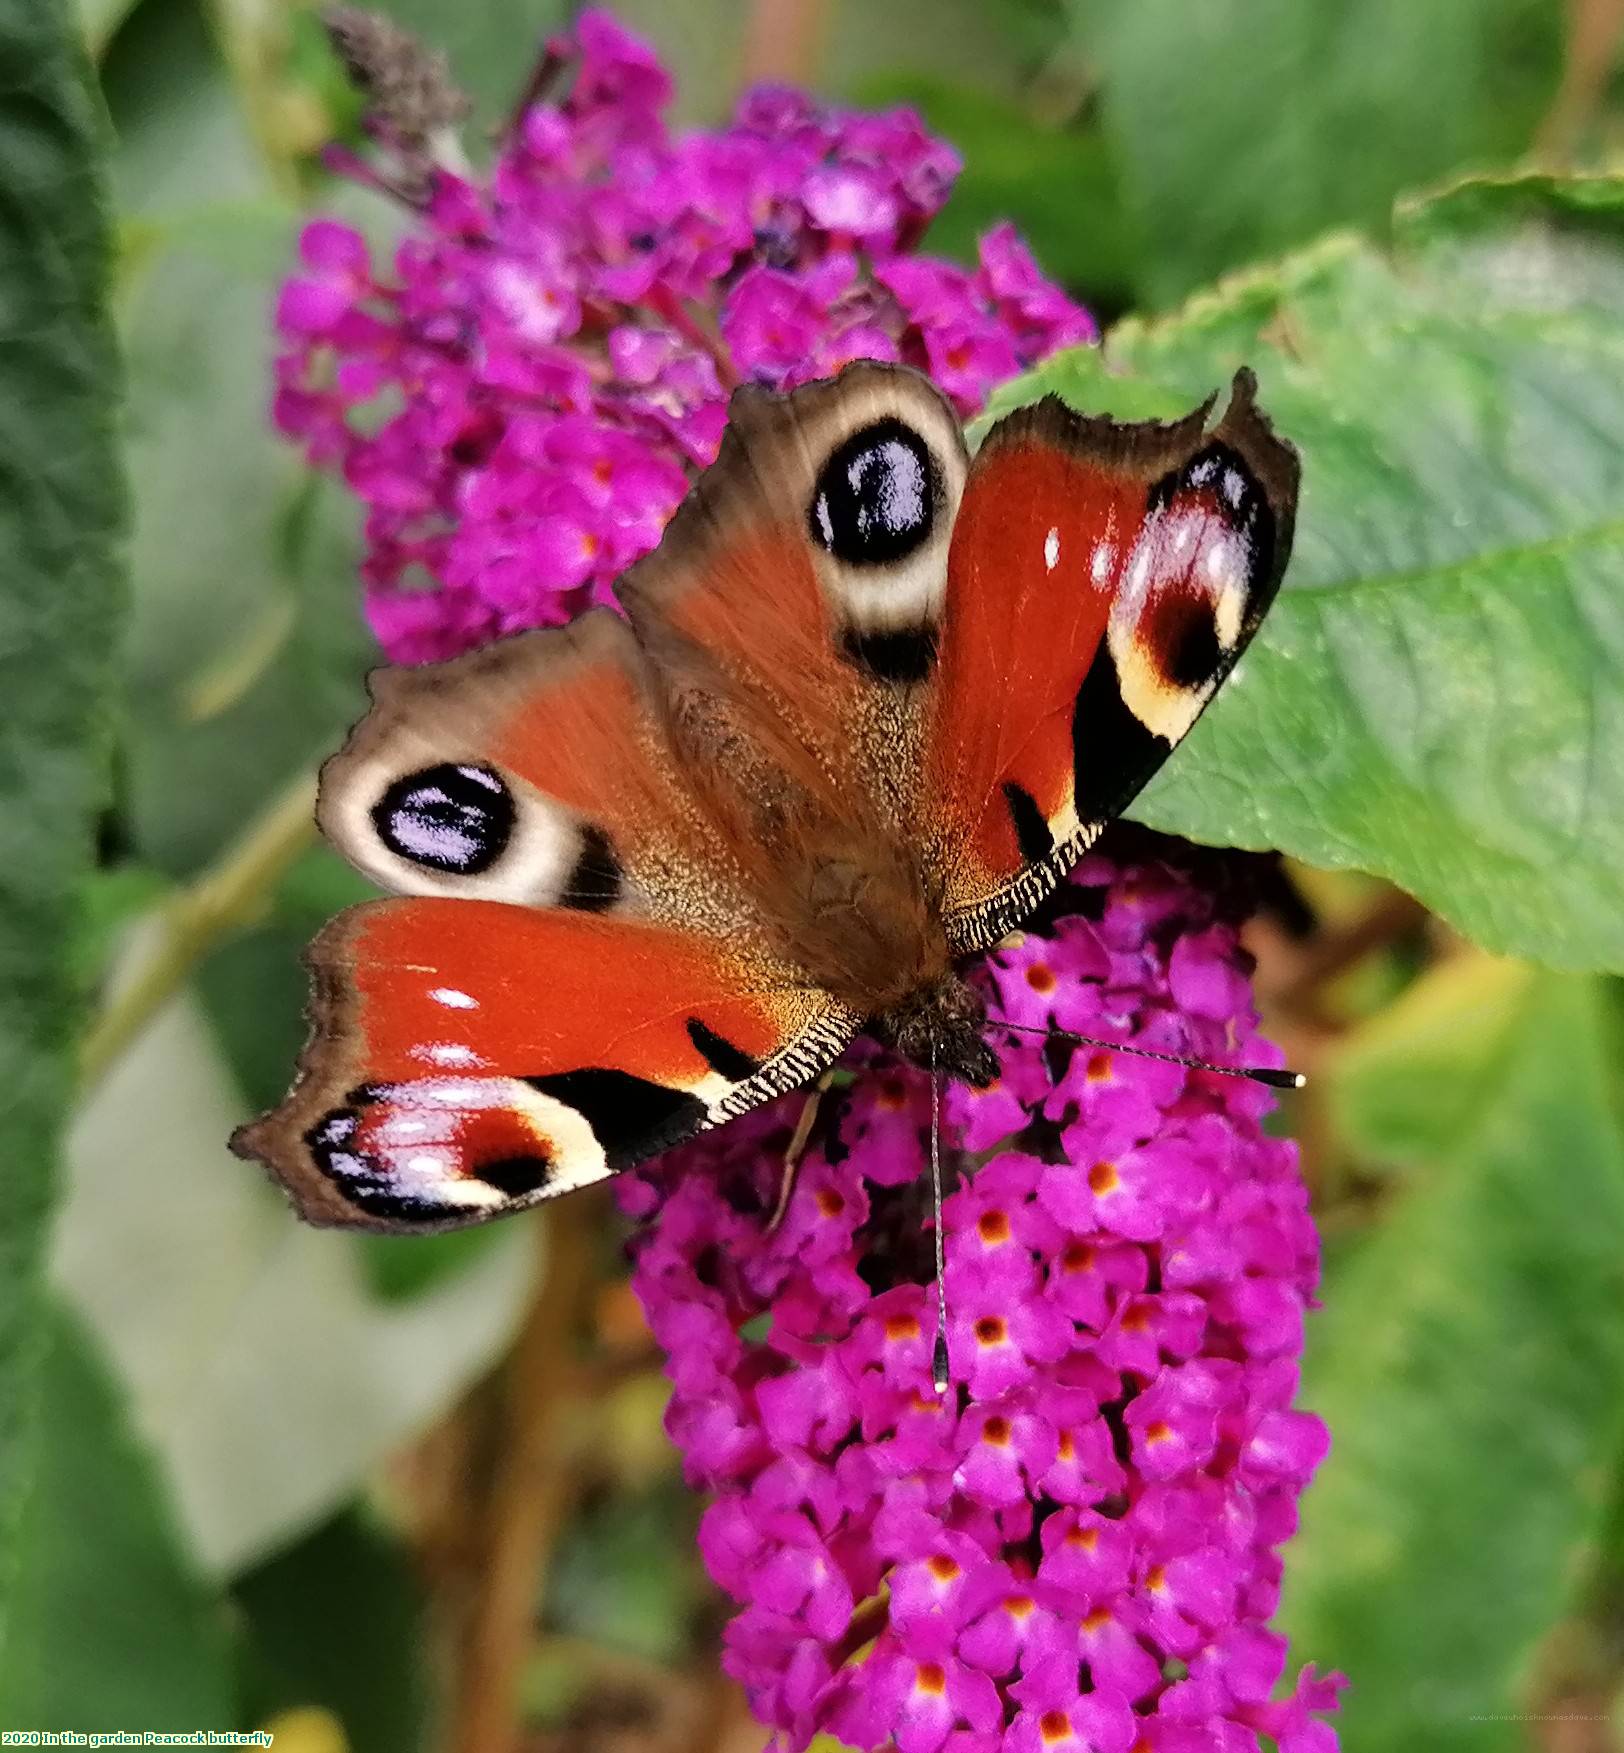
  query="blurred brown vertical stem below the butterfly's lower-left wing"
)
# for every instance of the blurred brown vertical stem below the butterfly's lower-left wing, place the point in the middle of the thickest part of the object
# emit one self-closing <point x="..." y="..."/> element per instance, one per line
<point x="531" y="1491"/>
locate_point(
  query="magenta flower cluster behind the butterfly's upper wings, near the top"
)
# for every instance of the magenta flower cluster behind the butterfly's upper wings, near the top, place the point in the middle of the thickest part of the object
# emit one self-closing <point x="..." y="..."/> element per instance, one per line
<point x="525" y="394"/>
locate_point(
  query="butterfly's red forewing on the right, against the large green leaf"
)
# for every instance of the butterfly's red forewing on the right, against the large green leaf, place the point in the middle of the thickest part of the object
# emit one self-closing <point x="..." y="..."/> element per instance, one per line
<point x="1104" y="581"/>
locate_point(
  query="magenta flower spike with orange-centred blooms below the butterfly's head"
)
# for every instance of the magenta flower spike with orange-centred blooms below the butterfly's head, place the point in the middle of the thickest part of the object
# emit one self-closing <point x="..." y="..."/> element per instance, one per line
<point x="1076" y="1549"/>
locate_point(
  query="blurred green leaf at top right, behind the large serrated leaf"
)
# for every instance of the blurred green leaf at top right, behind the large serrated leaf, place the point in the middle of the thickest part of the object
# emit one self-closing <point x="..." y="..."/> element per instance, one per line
<point x="1248" y="127"/>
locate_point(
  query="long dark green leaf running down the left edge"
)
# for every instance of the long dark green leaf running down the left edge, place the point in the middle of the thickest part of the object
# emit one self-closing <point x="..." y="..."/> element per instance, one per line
<point x="61" y="527"/>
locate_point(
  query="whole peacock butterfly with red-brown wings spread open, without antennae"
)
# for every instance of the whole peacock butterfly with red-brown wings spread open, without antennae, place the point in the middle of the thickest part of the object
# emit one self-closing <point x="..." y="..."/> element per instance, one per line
<point x="867" y="706"/>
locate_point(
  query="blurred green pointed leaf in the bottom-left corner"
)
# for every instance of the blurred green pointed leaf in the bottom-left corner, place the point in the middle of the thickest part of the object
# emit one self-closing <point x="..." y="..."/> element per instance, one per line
<point x="117" y="1629"/>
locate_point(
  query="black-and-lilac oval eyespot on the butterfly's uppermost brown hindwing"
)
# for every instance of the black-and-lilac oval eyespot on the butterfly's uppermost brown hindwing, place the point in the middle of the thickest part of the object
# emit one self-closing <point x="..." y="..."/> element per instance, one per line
<point x="878" y="497"/>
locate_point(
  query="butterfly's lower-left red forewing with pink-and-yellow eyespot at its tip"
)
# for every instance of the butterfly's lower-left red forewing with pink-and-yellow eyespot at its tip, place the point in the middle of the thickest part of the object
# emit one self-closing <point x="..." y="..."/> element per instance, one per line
<point x="473" y="1058"/>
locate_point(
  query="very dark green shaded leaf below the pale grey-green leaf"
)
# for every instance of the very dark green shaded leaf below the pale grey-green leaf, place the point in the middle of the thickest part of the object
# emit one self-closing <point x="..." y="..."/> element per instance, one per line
<point x="339" y="1622"/>
